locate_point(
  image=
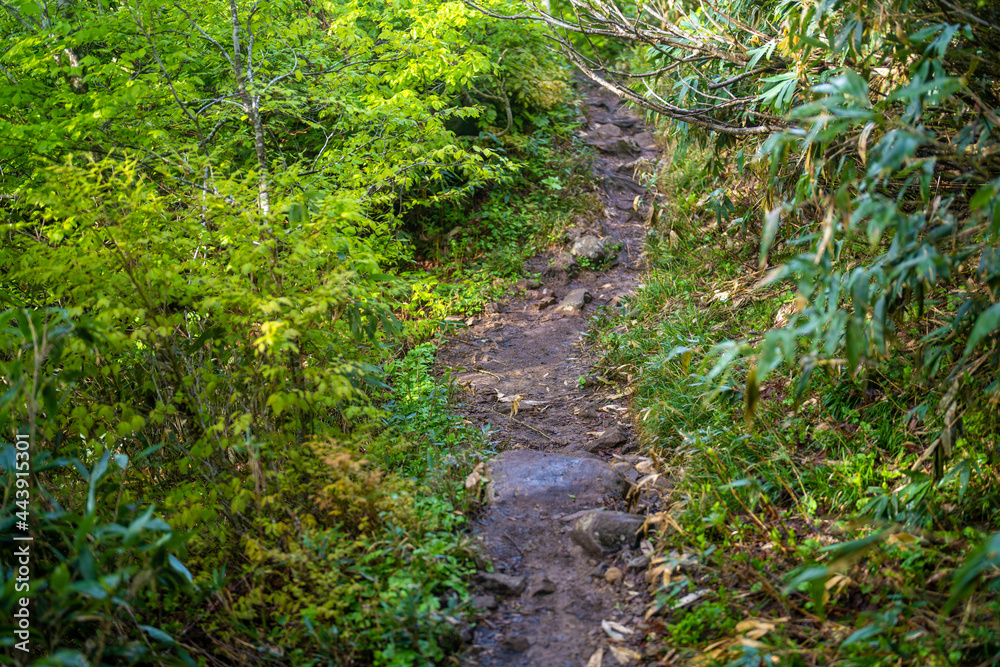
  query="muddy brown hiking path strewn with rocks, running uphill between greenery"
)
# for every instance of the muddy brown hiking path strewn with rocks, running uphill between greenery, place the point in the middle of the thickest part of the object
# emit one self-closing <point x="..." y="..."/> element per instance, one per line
<point x="560" y="525"/>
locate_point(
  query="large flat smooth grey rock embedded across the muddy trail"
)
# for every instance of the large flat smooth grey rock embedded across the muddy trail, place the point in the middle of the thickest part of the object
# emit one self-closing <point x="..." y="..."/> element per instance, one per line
<point x="522" y="473"/>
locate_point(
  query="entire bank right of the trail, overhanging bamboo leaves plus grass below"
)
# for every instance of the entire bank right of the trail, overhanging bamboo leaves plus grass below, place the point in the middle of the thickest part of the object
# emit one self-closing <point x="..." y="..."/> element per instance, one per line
<point x="852" y="191"/>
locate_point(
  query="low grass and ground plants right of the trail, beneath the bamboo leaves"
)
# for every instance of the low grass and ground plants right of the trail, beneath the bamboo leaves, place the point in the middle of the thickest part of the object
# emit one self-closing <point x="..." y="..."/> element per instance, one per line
<point x="759" y="507"/>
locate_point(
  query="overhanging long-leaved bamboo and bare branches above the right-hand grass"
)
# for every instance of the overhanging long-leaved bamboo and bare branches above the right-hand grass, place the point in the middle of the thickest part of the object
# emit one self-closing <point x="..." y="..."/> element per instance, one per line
<point x="872" y="129"/>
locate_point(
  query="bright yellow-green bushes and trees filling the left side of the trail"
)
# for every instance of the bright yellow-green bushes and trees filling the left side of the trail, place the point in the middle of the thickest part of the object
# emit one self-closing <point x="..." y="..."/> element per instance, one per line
<point x="210" y="299"/>
